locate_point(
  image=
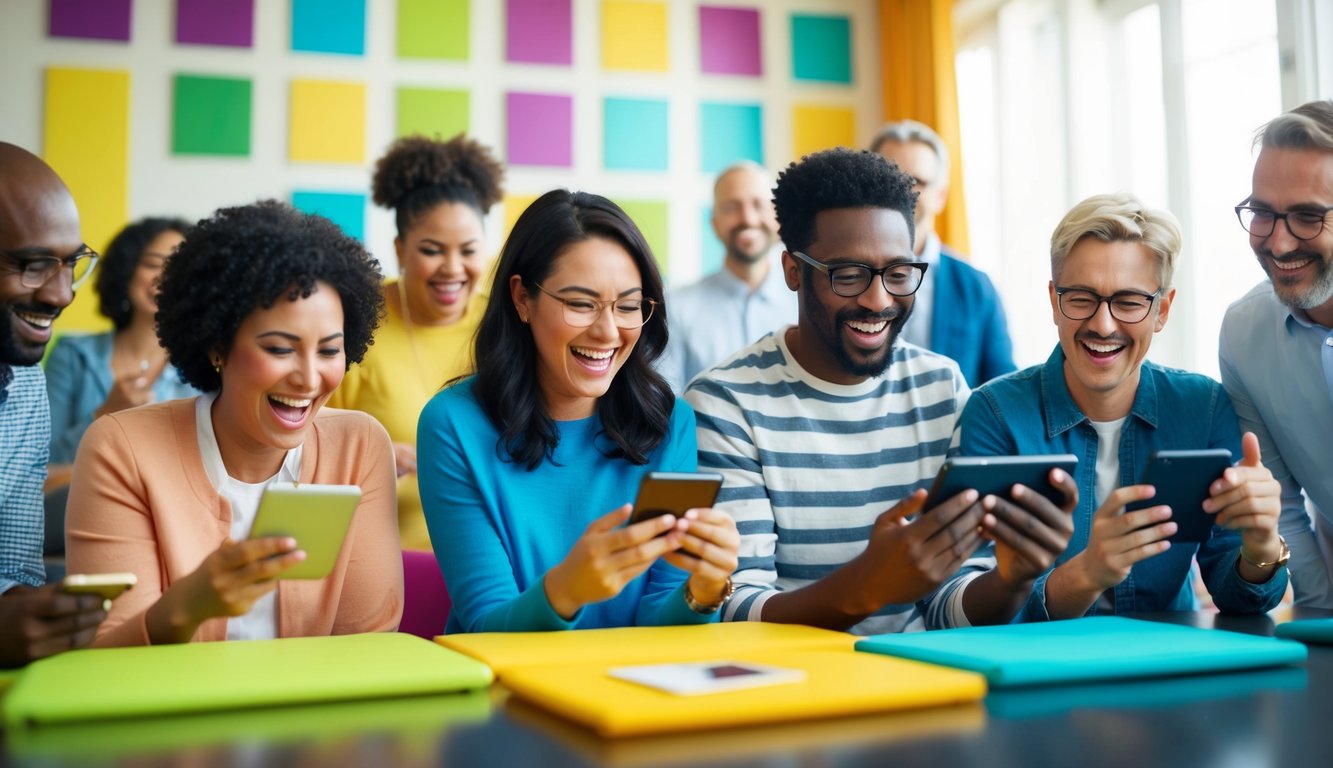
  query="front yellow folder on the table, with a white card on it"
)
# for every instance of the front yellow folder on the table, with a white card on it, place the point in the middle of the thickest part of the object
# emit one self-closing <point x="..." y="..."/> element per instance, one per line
<point x="838" y="683"/>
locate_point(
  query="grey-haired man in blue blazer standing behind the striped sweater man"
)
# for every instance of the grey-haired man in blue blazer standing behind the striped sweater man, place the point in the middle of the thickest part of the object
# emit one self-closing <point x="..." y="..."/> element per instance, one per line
<point x="958" y="310"/>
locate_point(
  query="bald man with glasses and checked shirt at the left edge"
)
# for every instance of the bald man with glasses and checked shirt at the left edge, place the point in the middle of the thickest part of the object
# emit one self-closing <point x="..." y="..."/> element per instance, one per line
<point x="42" y="262"/>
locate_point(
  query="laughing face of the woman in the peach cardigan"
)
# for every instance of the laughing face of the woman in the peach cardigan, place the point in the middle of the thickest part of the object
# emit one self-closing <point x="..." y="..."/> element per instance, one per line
<point x="283" y="366"/>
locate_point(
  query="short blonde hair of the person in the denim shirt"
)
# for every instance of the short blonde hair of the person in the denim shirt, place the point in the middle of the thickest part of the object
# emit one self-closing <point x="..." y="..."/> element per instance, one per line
<point x="1119" y="218"/>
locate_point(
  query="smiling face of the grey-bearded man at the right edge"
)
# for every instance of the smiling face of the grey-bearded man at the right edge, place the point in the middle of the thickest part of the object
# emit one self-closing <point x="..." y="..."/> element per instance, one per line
<point x="1302" y="271"/>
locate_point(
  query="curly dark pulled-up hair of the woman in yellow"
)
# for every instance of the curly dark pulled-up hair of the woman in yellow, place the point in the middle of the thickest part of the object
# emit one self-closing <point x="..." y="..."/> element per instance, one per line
<point x="418" y="174"/>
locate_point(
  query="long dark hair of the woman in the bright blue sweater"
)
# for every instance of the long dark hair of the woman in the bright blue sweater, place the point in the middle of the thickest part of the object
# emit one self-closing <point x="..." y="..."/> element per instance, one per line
<point x="637" y="410"/>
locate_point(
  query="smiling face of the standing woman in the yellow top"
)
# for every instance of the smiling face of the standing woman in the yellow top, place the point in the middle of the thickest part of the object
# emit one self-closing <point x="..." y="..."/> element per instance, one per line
<point x="442" y="258"/>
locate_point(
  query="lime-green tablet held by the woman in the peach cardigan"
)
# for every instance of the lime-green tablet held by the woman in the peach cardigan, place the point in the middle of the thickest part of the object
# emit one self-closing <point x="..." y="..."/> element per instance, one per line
<point x="318" y="517"/>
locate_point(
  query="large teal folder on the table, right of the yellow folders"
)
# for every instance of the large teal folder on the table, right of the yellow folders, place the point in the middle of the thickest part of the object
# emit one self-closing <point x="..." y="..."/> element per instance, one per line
<point x="1084" y="650"/>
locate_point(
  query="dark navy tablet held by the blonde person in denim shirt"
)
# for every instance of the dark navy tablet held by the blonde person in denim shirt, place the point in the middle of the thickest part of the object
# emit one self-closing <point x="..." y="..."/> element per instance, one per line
<point x="1182" y="479"/>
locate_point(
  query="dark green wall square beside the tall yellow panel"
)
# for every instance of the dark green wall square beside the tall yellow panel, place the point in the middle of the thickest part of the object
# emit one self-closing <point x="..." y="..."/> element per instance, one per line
<point x="211" y="117"/>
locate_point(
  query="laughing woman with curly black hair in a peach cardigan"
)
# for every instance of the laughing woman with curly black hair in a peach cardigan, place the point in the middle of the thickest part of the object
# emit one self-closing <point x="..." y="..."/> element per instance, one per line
<point x="263" y="309"/>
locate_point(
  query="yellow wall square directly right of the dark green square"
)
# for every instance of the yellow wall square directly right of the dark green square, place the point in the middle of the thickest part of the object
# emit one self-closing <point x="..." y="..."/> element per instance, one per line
<point x="329" y="122"/>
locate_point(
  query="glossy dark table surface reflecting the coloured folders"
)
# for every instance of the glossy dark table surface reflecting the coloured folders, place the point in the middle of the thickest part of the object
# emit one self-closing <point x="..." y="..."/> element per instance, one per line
<point x="1270" y="718"/>
